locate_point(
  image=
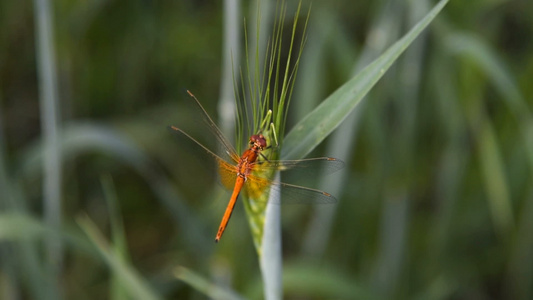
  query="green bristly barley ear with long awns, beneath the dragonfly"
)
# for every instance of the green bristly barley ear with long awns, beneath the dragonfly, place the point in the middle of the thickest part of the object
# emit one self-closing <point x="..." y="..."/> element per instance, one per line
<point x="270" y="94"/>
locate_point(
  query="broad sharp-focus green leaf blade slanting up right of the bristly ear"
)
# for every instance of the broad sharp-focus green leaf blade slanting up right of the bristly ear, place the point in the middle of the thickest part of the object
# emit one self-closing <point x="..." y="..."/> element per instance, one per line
<point x="314" y="128"/>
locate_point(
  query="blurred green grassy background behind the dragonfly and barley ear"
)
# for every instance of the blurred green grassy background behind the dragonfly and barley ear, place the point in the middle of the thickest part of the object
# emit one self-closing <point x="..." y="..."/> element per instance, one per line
<point x="436" y="200"/>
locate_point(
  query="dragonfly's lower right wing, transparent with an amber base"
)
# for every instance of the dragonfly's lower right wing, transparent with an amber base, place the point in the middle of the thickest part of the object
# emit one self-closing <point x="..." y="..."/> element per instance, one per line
<point x="290" y="194"/>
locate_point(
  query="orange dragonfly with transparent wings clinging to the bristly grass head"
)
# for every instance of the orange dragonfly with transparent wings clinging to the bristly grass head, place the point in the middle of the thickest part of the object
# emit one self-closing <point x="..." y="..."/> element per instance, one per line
<point x="243" y="172"/>
